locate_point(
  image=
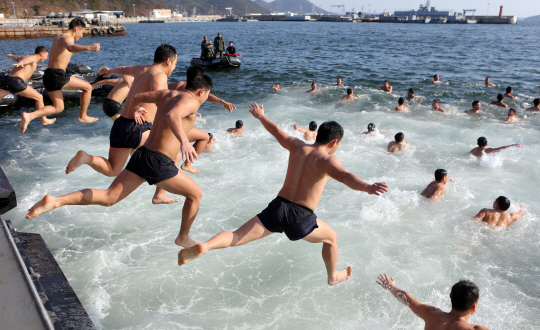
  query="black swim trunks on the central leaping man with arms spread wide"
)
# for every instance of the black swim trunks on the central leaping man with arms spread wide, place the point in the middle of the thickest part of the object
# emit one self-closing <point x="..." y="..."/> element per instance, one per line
<point x="282" y="215"/>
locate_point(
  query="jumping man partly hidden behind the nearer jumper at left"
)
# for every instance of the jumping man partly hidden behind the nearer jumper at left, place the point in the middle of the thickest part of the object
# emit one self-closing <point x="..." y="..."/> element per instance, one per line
<point x="127" y="134"/>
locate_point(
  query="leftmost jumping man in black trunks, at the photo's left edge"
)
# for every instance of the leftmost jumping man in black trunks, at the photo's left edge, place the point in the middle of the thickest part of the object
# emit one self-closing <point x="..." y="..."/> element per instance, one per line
<point x="14" y="82"/>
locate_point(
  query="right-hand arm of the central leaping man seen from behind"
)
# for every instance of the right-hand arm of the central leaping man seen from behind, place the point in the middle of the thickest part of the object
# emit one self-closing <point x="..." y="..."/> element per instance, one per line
<point x="337" y="172"/>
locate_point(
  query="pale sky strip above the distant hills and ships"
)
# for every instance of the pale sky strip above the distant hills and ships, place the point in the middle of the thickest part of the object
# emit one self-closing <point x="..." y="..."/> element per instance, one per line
<point x="521" y="8"/>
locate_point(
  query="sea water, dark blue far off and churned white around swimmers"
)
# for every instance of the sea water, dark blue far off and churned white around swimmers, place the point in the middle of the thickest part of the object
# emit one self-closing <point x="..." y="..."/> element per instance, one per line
<point x="122" y="261"/>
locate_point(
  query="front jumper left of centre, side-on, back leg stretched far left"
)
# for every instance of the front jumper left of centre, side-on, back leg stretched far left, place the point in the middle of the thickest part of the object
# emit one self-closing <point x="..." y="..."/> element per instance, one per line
<point x="153" y="162"/>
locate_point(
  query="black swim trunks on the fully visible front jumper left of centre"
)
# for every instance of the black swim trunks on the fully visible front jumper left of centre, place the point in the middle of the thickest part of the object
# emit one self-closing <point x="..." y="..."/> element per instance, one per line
<point x="151" y="165"/>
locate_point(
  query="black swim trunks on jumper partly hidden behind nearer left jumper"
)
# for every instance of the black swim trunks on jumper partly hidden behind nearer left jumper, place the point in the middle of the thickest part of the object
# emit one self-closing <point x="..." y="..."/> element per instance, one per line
<point x="126" y="133"/>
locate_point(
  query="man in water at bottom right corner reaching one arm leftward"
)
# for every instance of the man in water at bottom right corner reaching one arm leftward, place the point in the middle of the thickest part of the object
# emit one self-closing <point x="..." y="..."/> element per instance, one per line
<point x="464" y="297"/>
